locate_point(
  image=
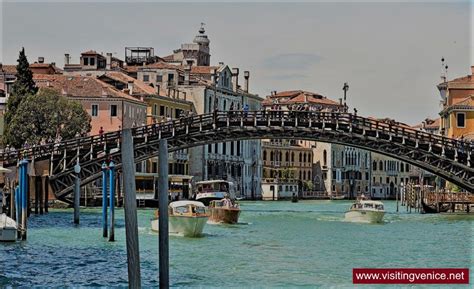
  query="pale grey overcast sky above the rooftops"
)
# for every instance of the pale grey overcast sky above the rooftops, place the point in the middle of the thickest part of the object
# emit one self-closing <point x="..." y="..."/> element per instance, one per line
<point x="388" y="52"/>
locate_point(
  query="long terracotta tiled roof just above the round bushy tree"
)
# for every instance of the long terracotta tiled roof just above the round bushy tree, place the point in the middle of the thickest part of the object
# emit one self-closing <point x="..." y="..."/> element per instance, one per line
<point x="80" y="86"/>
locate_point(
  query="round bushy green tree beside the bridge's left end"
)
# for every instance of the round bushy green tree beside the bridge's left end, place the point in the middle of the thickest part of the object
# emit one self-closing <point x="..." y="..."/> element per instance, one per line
<point x="45" y="116"/>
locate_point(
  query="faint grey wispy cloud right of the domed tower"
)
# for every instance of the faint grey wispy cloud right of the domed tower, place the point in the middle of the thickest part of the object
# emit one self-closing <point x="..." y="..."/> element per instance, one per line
<point x="291" y="61"/>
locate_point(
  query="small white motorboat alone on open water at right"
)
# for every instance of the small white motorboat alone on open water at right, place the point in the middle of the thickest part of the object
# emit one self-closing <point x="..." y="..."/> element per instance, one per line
<point x="365" y="211"/>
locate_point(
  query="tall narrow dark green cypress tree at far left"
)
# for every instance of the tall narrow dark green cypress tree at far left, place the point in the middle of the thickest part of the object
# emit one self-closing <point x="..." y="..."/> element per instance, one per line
<point x="23" y="86"/>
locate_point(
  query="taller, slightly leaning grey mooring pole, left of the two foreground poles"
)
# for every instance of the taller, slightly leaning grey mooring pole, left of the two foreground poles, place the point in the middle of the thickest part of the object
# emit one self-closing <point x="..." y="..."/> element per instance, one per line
<point x="130" y="208"/>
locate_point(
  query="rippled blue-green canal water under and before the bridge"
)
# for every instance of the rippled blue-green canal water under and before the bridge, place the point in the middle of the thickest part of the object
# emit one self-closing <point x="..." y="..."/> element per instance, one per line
<point x="277" y="244"/>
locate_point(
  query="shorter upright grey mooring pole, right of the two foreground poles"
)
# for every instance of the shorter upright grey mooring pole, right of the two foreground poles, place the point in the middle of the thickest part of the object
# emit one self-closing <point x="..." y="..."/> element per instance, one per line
<point x="163" y="213"/>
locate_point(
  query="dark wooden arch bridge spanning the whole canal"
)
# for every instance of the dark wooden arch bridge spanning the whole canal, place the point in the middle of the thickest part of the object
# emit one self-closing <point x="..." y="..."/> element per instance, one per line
<point x="448" y="158"/>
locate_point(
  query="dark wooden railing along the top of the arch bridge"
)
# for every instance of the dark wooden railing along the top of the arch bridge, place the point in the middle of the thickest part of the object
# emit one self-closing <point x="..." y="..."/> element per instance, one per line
<point x="341" y="118"/>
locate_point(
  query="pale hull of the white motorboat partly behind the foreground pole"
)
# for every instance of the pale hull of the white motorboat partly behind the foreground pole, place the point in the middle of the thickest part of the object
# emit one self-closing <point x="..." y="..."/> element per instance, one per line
<point x="183" y="225"/>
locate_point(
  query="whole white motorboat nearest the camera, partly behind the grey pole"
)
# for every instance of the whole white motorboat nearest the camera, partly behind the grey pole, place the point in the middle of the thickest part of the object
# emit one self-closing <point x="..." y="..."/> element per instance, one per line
<point x="185" y="218"/>
